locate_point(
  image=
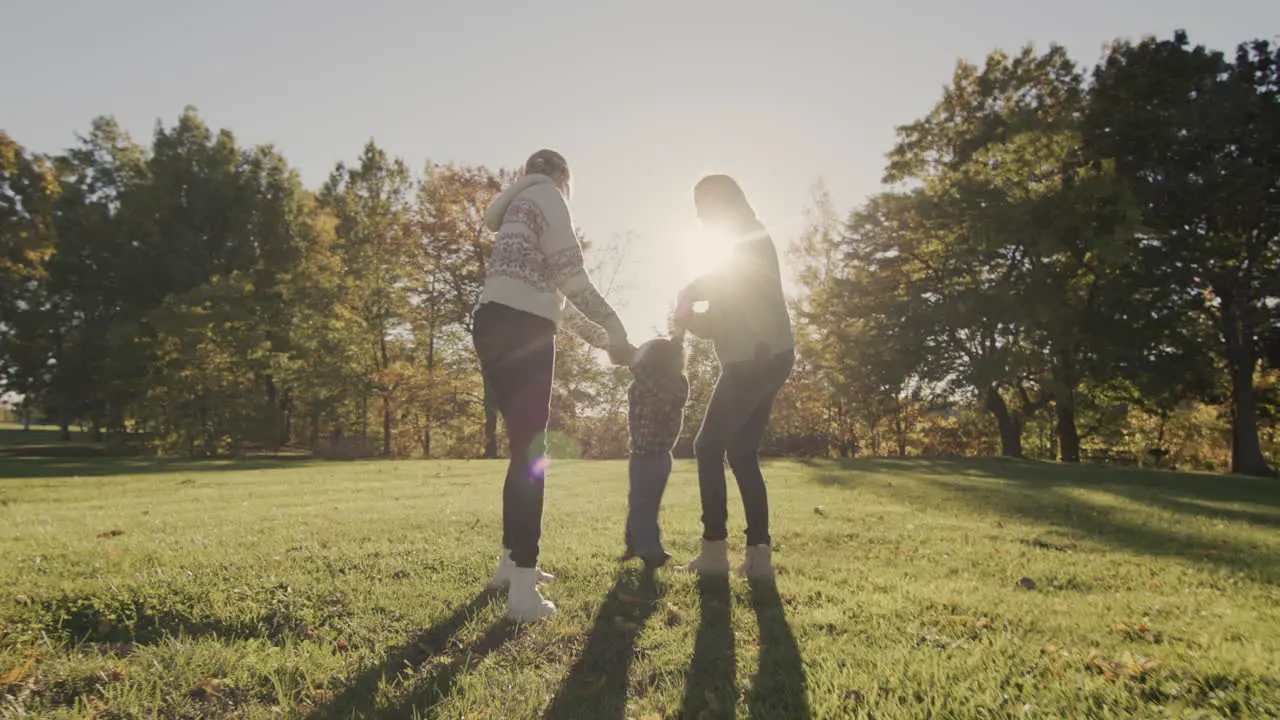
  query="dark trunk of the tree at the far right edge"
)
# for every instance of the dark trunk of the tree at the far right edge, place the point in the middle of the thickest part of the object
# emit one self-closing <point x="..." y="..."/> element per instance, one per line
<point x="1242" y="362"/>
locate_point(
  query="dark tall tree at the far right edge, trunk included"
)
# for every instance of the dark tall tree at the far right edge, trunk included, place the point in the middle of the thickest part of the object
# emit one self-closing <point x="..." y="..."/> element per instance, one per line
<point x="1195" y="136"/>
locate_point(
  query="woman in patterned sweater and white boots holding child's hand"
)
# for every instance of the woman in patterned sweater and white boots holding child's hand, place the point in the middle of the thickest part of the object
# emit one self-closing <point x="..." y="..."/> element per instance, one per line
<point x="537" y="265"/>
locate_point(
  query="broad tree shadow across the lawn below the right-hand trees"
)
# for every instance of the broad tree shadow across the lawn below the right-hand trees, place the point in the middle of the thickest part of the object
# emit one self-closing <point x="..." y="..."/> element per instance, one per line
<point x="1036" y="491"/>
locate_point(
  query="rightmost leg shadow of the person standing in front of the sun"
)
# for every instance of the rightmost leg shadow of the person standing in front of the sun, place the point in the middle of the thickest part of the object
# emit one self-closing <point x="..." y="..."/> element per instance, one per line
<point x="780" y="690"/>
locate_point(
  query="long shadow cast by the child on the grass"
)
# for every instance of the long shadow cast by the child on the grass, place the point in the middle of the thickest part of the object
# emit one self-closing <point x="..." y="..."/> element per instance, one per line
<point x="597" y="685"/>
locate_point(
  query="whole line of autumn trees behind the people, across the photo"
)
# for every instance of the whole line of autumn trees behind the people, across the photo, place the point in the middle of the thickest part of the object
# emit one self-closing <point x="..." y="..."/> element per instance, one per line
<point x="1071" y="265"/>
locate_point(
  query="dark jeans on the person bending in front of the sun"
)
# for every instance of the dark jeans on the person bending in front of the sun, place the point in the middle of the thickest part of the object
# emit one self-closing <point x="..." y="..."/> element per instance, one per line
<point x="734" y="427"/>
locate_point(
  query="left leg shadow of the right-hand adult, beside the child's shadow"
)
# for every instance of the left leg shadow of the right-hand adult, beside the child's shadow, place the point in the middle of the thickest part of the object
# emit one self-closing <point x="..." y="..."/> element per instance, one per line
<point x="711" y="687"/>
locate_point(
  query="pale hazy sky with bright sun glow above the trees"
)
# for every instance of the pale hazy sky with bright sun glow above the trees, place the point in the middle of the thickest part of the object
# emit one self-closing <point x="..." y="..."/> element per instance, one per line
<point x="642" y="98"/>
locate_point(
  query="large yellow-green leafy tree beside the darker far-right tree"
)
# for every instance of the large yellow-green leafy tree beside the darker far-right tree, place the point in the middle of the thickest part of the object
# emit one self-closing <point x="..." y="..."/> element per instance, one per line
<point x="1023" y="240"/>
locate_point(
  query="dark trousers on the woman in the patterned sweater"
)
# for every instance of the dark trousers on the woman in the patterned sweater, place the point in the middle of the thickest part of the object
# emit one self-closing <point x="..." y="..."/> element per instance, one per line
<point x="518" y="359"/>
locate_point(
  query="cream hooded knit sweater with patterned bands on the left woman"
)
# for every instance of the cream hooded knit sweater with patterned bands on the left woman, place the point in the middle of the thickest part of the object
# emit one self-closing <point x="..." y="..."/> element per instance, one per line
<point x="537" y="263"/>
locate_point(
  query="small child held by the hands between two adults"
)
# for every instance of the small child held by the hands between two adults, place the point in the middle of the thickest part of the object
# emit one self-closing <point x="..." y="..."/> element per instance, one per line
<point x="657" y="408"/>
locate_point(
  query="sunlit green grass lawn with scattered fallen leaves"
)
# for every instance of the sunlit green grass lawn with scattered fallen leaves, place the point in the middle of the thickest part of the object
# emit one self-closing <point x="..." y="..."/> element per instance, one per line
<point x="196" y="590"/>
